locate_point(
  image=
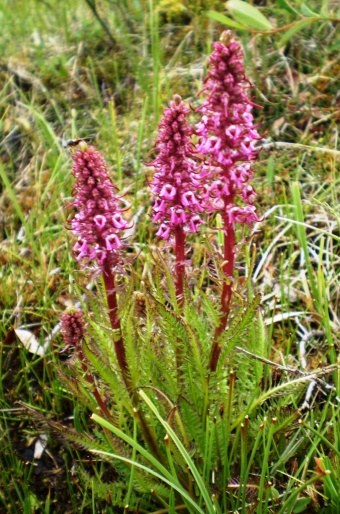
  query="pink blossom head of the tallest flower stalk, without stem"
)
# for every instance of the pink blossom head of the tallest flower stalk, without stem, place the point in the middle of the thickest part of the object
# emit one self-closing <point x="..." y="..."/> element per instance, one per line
<point x="227" y="132"/>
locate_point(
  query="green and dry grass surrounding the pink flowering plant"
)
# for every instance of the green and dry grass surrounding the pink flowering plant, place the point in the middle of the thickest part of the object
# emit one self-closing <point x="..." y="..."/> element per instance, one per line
<point x="61" y="77"/>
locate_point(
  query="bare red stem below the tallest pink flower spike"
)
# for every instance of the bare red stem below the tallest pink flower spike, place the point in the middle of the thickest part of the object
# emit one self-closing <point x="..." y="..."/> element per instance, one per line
<point x="228" y="269"/>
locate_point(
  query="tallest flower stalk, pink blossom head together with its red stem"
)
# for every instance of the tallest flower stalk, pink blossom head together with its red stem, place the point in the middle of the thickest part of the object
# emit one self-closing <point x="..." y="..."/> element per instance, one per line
<point x="227" y="134"/>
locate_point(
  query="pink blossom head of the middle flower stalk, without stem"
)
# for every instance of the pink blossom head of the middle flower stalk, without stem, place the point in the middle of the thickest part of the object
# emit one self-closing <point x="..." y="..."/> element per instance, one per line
<point x="176" y="184"/>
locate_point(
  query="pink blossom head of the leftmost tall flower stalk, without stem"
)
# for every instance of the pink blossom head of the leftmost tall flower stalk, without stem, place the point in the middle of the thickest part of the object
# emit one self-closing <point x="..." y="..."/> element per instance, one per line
<point x="98" y="222"/>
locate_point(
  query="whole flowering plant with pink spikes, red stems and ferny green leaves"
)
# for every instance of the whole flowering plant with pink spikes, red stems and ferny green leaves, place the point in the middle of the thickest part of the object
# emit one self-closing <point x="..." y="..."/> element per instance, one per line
<point x="162" y="373"/>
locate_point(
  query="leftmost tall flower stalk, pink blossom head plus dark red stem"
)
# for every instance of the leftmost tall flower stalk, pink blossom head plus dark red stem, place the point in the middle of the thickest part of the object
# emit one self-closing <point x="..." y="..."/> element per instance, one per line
<point x="99" y="225"/>
